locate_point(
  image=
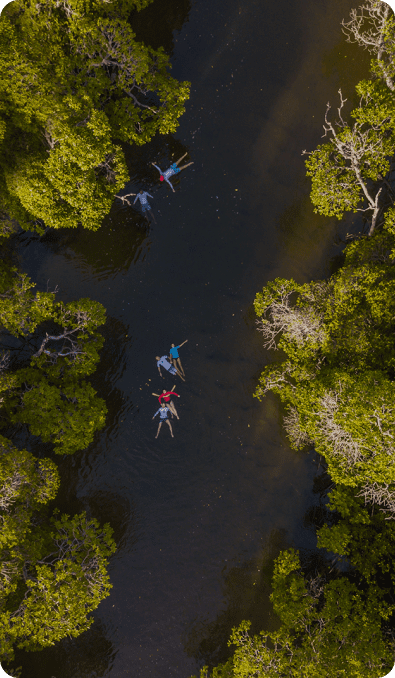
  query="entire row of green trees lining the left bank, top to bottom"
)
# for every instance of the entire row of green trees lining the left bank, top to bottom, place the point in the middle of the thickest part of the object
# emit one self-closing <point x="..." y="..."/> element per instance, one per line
<point x="74" y="85"/>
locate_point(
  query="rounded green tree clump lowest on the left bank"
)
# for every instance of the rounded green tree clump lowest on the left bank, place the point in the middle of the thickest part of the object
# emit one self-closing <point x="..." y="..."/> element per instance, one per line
<point x="62" y="587"/>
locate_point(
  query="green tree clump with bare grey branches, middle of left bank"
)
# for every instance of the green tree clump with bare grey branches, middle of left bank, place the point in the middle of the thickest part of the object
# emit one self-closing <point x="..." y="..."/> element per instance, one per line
<point x="50" y="395"/>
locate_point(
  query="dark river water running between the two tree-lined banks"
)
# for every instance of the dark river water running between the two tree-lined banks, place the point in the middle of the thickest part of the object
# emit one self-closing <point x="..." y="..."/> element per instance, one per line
<point x="198" y="519"/>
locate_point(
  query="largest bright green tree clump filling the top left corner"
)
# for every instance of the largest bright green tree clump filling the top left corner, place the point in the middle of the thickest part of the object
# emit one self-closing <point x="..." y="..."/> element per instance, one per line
<point x="73" y="79"/>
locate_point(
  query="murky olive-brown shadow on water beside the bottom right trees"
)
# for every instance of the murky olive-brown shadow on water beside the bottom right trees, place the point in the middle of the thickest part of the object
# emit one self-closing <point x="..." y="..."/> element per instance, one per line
<point x="246" y="590"/>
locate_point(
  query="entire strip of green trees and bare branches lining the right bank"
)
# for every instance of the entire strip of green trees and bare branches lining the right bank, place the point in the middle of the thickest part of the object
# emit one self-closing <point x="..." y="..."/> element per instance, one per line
<point x="335" y="378"/>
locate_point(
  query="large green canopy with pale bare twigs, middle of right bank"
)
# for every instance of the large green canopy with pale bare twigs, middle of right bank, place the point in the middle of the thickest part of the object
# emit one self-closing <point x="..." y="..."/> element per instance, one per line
<point x="337" y="379"/>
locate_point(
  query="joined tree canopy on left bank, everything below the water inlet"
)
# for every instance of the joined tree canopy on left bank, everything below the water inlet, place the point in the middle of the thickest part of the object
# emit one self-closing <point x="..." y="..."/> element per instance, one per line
<point x="53" y="567"/>
